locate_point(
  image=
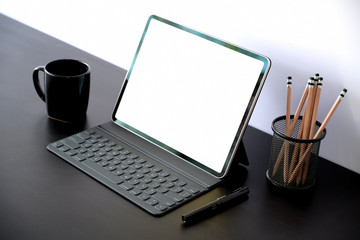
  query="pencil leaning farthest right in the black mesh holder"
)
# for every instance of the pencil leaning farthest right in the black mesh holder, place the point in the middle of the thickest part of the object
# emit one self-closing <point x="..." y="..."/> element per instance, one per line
<point x="319" y="131"/>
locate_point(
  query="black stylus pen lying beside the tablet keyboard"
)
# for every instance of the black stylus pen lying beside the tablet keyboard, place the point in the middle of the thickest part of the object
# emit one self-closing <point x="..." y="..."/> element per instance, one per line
<point x="214" y="206"/>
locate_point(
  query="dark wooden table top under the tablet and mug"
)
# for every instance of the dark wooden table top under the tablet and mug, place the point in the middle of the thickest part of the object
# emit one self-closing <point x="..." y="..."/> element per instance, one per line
<point x="43" y="197"/>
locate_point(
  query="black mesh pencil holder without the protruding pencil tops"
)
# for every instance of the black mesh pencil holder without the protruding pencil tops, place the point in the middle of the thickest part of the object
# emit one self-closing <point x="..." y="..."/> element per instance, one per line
<point x="293" y="161"/>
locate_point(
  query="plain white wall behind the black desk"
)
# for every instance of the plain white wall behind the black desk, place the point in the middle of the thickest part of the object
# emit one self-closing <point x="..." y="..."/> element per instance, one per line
<point x="301" y="37"/>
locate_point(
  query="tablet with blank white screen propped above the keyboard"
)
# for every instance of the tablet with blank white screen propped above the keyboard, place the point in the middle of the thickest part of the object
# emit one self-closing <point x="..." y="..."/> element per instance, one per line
<point x="190" y="94"/>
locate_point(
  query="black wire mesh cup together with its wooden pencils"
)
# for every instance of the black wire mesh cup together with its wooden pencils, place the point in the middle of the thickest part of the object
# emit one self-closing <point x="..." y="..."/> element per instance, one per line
<point x="296" y="139"/>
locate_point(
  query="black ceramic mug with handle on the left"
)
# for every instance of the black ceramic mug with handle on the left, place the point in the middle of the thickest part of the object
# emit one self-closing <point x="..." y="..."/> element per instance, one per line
<point x="66" y="89"/>
